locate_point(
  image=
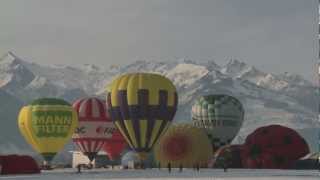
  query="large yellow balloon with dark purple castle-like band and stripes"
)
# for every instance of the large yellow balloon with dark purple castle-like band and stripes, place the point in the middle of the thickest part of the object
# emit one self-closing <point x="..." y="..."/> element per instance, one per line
<point x="142" y="105"/>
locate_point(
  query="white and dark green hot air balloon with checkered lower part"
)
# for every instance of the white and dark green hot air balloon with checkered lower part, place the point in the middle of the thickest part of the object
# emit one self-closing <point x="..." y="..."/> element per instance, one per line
<point x="220" y="115"/>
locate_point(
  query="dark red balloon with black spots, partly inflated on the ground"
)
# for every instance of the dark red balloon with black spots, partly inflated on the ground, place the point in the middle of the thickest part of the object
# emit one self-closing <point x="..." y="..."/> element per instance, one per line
<point x="273" y="146"/>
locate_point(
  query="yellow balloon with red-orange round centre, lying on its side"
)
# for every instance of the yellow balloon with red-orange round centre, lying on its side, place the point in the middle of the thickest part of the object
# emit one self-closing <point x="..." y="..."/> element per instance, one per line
<point x="183" y="145"/>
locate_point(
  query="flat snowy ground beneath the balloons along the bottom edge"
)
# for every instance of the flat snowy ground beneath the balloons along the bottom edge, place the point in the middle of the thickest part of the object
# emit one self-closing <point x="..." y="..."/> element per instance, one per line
<point x="155" y="174"/>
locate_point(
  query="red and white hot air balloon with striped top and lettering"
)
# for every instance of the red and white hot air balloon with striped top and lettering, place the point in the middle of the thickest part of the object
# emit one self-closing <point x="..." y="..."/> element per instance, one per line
<point x="94" y="126"/>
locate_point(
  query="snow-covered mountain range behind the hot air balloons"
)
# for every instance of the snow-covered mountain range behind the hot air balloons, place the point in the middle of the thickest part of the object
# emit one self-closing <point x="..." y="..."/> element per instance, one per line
<point x="285" y="99"/>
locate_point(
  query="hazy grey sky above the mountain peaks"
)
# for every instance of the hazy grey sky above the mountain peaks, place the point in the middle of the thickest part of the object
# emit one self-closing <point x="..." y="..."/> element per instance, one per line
<point x="273" y="35"/>
